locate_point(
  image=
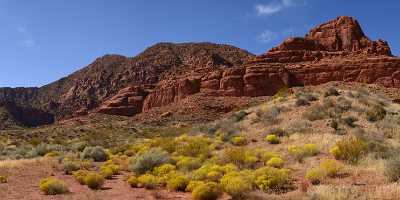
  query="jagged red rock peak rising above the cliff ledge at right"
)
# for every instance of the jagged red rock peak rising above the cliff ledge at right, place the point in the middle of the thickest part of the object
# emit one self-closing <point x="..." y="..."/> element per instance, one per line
<point x="337" y="38"/>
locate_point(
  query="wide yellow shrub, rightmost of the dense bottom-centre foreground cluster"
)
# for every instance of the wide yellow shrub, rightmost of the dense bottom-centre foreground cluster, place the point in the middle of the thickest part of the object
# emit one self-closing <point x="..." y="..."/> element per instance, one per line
<point x="272" y="178"/>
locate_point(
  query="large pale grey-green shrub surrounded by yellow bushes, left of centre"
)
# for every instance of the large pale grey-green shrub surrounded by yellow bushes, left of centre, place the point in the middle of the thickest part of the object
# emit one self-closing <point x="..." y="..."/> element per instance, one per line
<point x="148" y="160"/>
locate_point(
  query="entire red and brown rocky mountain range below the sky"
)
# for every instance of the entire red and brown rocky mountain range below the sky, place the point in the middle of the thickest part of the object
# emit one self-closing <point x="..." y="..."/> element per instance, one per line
<point x="168" y="73"/>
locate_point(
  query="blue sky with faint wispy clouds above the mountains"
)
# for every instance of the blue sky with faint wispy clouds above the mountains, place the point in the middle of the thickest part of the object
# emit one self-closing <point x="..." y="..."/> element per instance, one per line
<point x="44" y="40"/>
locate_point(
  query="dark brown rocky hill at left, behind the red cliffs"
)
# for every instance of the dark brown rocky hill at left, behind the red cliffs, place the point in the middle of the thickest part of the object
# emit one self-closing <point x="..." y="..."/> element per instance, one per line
<point x="87" y="88"/>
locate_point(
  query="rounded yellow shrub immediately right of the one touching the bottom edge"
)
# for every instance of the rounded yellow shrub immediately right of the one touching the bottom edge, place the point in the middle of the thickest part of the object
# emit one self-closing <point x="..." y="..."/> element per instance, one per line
<point x="236" y="185"/>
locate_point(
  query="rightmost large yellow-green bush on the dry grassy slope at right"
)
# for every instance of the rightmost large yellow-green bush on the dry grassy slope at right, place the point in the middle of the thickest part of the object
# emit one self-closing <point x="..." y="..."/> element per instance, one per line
<point x="350" y="149"/>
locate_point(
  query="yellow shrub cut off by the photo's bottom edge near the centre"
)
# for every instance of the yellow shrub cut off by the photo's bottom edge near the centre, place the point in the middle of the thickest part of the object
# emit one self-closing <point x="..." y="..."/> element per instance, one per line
<point x="207" y="191"/>
